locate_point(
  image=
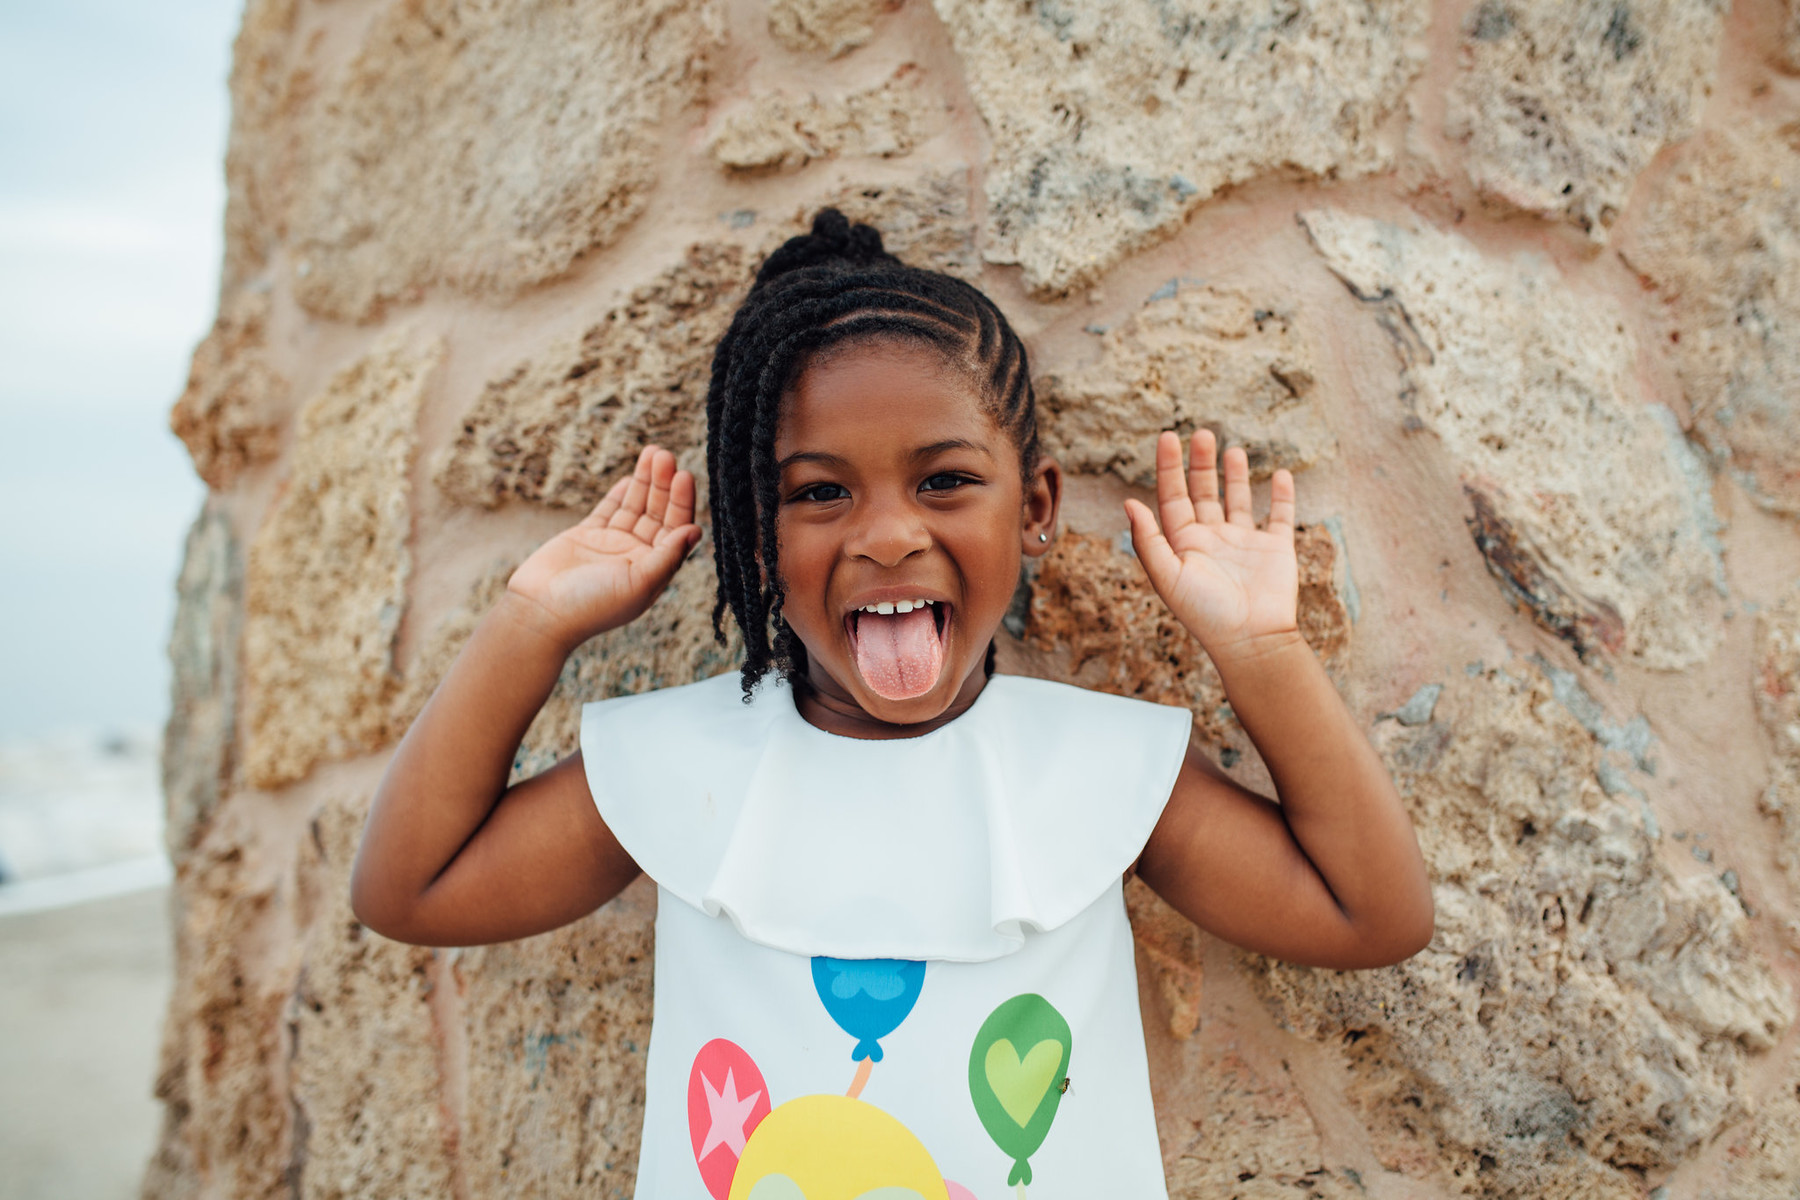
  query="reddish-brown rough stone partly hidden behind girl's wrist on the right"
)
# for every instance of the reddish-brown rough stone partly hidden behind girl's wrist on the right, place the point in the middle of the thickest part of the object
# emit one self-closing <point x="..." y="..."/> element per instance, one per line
<point x="1093" y="605"/>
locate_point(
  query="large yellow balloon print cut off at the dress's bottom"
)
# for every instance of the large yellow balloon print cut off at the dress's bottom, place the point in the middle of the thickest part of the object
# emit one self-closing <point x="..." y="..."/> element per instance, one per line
<point x="834" y="1149"/>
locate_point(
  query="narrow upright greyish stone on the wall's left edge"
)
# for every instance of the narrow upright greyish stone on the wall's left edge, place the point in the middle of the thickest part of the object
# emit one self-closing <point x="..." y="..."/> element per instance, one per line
<point x="199" y="742"/>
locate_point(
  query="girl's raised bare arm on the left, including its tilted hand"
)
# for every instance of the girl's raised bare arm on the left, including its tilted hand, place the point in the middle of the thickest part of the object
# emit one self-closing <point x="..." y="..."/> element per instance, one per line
<point x="451" y="855"/>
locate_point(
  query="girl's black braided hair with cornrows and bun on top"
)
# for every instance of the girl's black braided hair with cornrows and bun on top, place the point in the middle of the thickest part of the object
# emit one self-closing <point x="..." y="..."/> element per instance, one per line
<point x="820" y="292"/>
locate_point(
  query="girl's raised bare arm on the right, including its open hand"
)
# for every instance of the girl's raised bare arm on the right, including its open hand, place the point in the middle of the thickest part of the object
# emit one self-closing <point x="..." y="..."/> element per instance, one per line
<point x="1333" y="875"/>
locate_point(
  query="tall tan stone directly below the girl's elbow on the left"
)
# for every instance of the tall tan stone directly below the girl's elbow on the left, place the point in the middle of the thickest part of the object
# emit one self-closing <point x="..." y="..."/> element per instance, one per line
<point x="364" y="1050"/>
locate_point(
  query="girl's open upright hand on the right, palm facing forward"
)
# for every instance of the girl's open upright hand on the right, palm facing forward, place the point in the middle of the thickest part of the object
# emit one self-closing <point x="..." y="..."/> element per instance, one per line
<point x="1234" y="586"/>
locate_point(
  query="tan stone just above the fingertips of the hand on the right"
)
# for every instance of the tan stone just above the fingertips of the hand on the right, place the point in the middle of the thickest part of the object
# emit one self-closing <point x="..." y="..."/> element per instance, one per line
<point x="1194" y="355"/>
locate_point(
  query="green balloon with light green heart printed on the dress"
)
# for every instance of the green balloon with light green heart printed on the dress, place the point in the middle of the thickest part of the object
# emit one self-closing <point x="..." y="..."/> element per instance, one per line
<point x="1018" y="1073"/>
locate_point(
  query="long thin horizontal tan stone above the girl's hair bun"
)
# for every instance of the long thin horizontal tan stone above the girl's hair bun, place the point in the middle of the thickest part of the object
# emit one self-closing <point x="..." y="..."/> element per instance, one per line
<point x="786" y="130"/>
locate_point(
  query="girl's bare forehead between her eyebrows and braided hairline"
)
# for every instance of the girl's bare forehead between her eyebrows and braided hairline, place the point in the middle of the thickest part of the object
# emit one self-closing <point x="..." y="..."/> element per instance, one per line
<point x="877" y="395"/>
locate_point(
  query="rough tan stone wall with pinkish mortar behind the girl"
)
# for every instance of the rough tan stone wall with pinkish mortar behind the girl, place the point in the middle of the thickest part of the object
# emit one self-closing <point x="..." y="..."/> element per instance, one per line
<point x="1511" y="285"/>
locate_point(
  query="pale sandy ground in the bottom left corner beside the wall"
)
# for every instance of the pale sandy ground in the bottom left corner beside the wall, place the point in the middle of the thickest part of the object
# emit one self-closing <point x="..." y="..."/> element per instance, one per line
<point x="82" y="999"/>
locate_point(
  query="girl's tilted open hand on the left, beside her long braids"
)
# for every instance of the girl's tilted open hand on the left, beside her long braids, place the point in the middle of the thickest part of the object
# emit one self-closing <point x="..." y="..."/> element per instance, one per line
<point x="607" y="569"/>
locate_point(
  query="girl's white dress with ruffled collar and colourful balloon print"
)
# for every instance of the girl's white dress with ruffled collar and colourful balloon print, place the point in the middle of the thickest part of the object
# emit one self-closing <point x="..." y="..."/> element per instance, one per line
<point x="892" y="971"/>
